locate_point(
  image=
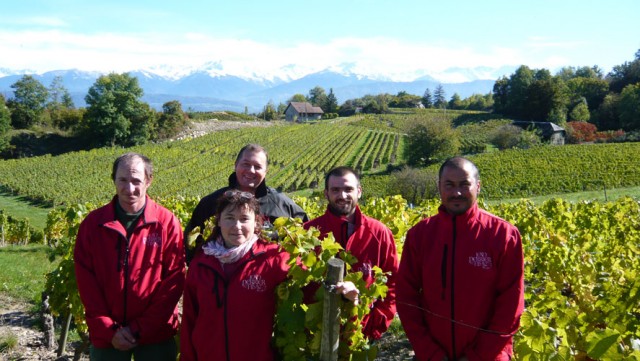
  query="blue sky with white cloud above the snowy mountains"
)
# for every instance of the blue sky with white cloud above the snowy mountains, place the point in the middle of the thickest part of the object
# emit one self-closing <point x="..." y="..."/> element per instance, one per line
<point x="399" y="38"/>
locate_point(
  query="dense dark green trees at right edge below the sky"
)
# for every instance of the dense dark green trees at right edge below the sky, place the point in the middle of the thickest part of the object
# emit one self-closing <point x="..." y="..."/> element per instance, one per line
<point x="582" y="94"/>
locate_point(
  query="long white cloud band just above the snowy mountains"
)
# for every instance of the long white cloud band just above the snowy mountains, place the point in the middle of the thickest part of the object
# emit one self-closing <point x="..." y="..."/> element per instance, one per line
<point x="178" y="54"/>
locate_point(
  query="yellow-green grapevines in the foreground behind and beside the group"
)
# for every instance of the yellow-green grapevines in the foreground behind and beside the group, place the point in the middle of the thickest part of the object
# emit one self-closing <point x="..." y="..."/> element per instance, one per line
<point x="582" y="269"/>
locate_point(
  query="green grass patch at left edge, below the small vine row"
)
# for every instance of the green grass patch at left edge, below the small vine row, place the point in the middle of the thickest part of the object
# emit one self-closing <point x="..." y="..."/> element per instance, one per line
<point x="23" y="270"/>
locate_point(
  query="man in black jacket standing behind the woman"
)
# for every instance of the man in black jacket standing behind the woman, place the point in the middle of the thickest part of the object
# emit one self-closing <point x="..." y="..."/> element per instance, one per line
<point x="249" y="176"/>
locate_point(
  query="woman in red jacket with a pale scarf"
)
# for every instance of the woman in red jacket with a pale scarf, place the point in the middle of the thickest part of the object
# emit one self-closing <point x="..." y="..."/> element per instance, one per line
<point x="229" y="298"/>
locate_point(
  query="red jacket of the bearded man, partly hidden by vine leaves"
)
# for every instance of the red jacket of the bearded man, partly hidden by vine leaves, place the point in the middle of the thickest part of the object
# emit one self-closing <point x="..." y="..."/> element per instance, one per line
<point x="372" y="244"/>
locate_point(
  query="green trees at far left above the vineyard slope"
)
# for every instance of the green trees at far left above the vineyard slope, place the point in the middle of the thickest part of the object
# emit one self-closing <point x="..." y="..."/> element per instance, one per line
<point x="115" y="113"/>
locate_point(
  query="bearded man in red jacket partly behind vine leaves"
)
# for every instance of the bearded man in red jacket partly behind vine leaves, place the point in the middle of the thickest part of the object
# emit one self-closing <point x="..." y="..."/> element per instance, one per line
<point x="370" y="241"/>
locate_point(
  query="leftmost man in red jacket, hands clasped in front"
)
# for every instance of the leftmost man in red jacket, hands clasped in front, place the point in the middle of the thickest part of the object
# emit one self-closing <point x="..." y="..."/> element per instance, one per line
<point x="129" y="264"/>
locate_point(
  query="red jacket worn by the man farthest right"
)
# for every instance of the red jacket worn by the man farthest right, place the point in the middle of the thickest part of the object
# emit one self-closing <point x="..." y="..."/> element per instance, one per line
<point x="461" y="286"/>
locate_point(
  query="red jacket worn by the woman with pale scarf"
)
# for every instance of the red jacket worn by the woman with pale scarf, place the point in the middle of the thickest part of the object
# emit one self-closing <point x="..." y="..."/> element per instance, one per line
<point x="231" y="317"/>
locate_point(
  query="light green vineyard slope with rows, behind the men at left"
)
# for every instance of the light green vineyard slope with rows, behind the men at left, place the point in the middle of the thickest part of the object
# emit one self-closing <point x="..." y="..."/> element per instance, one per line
<point x="299" y="155"/>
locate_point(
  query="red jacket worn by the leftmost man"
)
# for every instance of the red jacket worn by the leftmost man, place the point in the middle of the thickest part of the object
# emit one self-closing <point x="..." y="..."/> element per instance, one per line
<point x="136" y="282"/>
